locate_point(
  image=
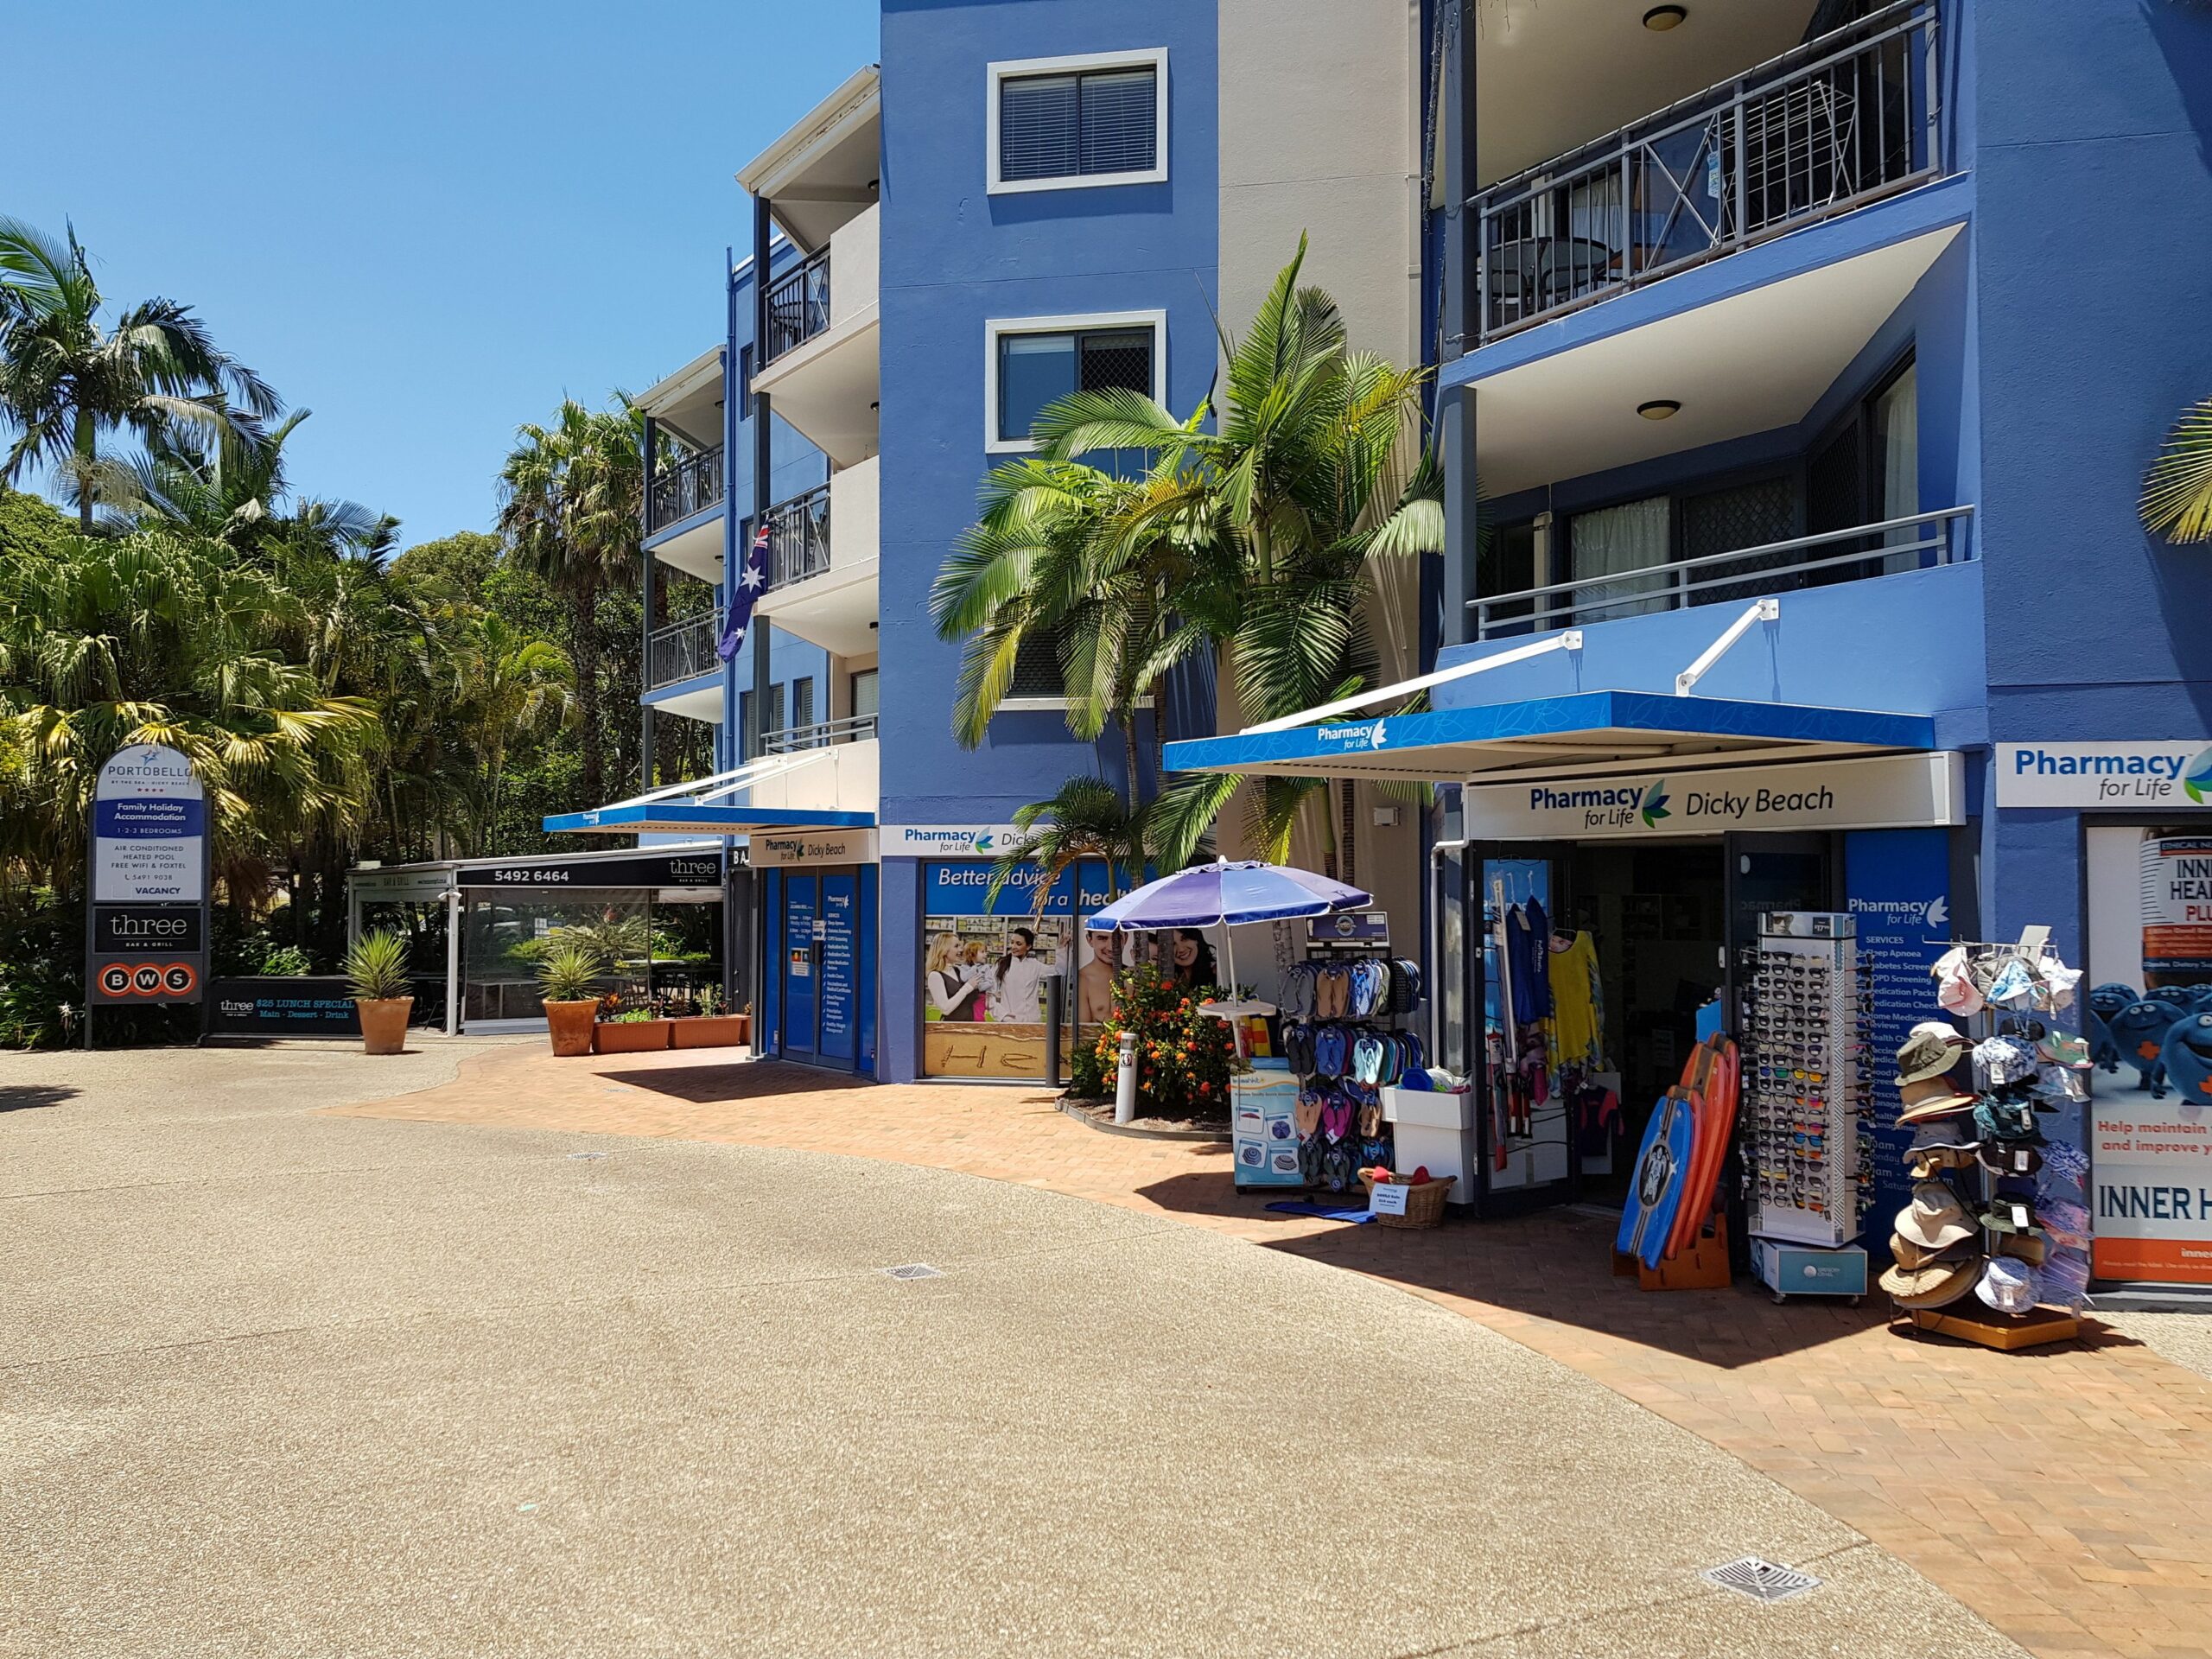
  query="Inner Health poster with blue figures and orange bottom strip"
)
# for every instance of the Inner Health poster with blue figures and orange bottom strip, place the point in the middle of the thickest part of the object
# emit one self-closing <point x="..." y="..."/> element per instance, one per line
<point x="2149" y="1023"/>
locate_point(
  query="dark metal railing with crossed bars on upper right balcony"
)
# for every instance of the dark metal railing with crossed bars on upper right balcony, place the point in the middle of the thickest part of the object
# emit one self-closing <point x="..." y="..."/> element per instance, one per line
<point x="1824" y="129"/>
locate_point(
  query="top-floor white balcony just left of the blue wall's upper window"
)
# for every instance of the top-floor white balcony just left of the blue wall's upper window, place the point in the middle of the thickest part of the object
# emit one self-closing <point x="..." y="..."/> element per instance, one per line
<point x="822" y="371"/>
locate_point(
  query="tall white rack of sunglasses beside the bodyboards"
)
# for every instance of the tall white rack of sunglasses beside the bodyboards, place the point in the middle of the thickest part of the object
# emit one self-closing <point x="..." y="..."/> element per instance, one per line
<point x="1806" y="1083"/>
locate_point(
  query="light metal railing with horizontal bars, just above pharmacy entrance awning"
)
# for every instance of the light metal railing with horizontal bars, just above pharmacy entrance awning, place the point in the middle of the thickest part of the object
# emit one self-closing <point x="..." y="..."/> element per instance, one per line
<point x="1731" y="578"/>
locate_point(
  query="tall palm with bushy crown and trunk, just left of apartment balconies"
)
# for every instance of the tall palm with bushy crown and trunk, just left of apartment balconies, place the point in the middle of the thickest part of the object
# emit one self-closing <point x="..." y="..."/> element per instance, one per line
<point x="572" y="508"/>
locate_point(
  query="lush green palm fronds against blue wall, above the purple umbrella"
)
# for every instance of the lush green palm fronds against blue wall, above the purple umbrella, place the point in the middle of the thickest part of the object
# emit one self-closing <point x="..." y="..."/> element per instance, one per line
<point x="1251" y="536"/>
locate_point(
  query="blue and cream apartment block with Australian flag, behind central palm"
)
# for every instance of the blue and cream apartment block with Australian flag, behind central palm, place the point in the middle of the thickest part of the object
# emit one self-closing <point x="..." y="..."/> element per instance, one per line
<point x="1021" y="200"/>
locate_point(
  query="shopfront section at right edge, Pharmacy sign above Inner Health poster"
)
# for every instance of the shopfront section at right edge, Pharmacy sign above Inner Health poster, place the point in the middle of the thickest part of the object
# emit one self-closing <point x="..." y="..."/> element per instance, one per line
<point x="2142" y="820"/>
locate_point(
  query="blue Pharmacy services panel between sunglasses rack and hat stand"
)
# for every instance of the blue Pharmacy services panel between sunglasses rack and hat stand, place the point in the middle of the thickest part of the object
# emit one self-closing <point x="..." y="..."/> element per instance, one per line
<point x="1899" y="890"/>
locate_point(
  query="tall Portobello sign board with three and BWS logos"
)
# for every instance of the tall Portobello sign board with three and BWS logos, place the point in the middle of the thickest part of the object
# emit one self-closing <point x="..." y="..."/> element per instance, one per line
<point x="147" y="935"/>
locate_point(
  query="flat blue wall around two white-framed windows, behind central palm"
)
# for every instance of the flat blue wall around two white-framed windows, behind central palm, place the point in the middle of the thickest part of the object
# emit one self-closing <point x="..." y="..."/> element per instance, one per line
<point x="954" y="258"/>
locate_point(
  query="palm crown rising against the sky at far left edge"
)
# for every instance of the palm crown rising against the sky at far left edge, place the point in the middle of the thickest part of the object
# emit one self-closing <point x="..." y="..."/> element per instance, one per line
<point x="65" y="382"/>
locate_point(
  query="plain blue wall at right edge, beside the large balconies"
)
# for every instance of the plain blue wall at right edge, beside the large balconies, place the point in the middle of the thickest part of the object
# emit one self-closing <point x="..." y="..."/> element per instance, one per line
<point x="2096" y="328"/>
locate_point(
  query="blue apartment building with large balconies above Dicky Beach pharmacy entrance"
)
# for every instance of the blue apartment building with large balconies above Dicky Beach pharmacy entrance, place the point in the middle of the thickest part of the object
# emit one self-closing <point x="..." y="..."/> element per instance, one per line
<point x="1799" y="371"/>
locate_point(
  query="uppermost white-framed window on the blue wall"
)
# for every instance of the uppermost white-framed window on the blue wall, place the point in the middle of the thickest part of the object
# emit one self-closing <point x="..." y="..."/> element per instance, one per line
<point x="1063" y="123"/>
